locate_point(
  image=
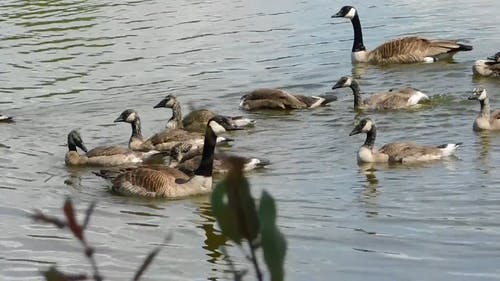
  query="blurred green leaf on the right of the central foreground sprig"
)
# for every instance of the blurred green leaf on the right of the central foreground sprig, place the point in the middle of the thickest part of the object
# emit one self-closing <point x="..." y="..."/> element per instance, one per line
<point x="273" y="242"/>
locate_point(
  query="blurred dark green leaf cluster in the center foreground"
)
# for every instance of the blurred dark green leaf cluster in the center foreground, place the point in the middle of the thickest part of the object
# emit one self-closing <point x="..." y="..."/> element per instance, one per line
<point x="234" y="209"/>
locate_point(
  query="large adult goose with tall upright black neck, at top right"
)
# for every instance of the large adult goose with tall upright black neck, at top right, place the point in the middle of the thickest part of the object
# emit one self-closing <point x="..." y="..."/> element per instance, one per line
<point x="403" y="50"/>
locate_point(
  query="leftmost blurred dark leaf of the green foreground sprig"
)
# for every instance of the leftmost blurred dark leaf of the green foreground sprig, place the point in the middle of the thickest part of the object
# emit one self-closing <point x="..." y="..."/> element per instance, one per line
<point x="226" y="218"/>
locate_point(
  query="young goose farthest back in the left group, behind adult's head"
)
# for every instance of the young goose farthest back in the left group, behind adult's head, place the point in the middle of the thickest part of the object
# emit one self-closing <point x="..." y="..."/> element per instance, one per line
<point x="196" y="120"/>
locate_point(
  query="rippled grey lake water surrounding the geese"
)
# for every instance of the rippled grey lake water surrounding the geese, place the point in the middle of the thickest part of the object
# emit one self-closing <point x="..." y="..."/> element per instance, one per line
<point x="78" y="64"/>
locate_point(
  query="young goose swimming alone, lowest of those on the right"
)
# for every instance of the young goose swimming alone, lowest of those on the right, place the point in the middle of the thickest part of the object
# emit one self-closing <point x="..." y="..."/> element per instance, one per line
<point x="404" y="152"/>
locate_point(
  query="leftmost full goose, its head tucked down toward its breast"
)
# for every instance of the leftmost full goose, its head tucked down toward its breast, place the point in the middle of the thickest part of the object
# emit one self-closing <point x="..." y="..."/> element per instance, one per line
<point x="102" y="155"/>
